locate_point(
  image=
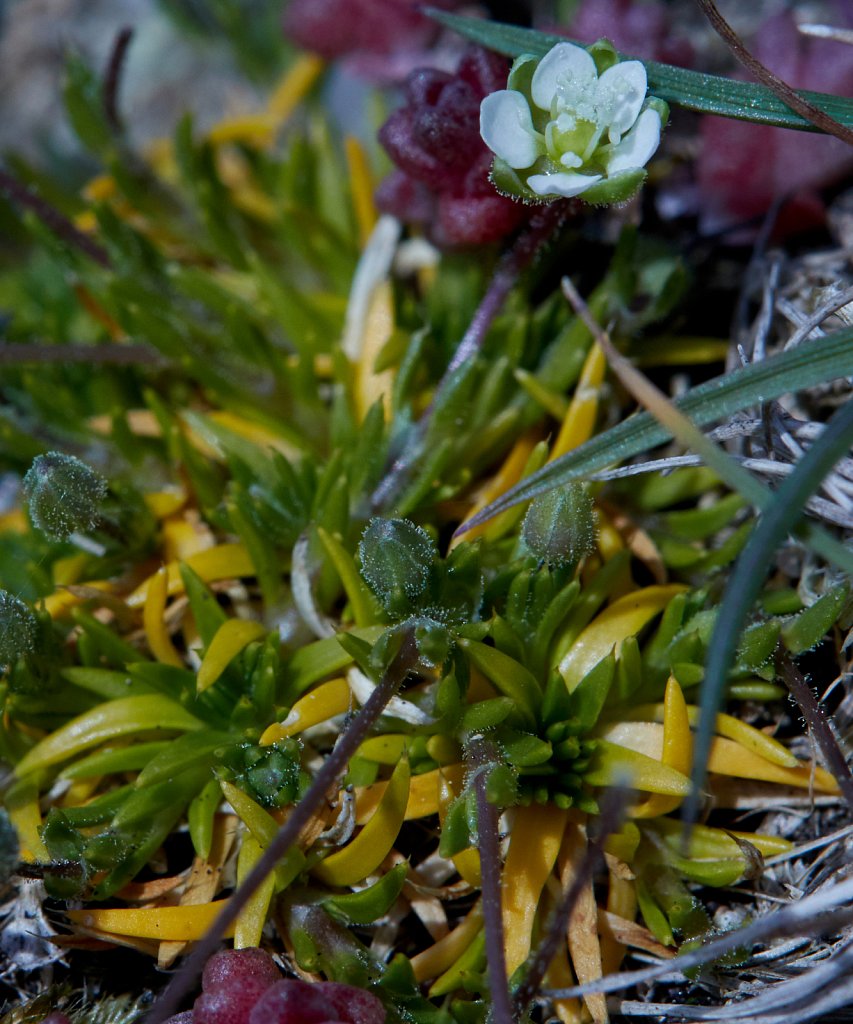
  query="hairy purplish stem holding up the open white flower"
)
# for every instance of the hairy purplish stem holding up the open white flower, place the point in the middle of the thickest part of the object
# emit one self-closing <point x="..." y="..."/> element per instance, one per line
<point x="542" y="227"/>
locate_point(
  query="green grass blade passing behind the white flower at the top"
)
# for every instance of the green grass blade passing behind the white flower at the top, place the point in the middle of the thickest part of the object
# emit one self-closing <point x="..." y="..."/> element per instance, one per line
<point x="696" y="92"/>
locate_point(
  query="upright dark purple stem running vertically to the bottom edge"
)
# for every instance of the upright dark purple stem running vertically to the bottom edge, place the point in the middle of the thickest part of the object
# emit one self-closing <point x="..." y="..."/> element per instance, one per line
<point x="481" y="756"/>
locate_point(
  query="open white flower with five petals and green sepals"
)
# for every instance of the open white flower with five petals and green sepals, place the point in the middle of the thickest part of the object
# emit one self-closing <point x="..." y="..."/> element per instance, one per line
<point x="564" y="130"/>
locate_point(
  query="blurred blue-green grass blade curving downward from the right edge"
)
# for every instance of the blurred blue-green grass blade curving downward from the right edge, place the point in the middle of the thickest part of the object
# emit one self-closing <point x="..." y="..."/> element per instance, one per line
<point x="748" y="578"/>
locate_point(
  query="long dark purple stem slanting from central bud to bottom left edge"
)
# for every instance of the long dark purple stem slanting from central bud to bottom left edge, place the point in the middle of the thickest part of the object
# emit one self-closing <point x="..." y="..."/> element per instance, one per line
<point x="326" y="780"/>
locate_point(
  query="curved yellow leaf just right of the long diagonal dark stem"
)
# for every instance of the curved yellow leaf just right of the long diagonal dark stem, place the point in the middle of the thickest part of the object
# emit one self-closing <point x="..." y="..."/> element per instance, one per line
<point x="365" y="854"/>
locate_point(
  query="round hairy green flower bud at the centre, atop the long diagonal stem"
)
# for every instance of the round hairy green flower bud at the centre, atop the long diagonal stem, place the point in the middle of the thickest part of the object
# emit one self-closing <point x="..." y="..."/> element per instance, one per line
<point x="397" y="563"/>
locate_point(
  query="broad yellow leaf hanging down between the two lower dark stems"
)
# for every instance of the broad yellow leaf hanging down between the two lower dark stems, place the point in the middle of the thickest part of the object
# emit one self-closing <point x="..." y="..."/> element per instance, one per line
<point x="535" y="843"/>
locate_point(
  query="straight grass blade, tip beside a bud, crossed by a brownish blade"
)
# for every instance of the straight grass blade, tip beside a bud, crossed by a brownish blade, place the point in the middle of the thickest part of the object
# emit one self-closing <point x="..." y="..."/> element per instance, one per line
<point x="806" y="366"/>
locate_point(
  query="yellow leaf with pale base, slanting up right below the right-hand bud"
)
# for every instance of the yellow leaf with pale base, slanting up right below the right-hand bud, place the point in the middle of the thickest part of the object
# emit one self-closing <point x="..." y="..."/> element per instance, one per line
<point x="619" y="621"/>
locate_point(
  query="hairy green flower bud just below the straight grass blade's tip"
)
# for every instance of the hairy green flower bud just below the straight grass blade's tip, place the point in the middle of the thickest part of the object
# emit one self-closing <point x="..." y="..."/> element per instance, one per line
<point x="560" y="527"/>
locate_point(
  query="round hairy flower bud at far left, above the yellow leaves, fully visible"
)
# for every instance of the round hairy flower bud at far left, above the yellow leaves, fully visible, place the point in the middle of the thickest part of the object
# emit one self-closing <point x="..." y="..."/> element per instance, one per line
<point x="64" y="494"/>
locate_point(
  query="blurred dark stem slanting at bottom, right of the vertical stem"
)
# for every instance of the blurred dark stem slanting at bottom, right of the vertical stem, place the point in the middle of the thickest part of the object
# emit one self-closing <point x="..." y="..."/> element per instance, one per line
<point x="613" y="812"/>
